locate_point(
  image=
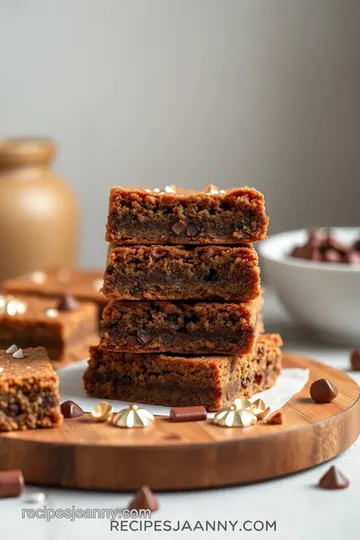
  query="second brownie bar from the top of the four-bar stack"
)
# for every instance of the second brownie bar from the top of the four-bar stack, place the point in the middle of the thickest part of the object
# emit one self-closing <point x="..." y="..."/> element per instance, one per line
<point x="182" y="273"/>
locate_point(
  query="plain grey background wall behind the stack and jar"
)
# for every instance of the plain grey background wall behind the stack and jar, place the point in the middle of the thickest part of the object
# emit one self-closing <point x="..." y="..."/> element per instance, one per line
<point x="152" y="92"/>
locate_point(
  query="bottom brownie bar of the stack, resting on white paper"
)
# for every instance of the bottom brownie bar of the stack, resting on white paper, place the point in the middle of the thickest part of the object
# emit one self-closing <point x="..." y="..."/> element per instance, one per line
<point x="178" y="381"/>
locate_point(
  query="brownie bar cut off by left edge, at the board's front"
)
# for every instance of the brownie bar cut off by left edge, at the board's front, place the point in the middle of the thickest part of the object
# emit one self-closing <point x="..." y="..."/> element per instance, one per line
<point x="29" y="390"/>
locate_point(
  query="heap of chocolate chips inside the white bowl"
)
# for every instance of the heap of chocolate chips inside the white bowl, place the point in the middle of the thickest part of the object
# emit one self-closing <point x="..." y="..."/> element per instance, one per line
<point x="323" y="246"/>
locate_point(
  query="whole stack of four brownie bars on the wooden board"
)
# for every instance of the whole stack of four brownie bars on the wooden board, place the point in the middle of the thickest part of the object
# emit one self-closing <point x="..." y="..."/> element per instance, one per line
<point x="184" y="321"/>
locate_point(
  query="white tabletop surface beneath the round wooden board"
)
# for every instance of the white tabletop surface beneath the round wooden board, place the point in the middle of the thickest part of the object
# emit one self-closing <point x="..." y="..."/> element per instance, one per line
<point x="301" y="511"/>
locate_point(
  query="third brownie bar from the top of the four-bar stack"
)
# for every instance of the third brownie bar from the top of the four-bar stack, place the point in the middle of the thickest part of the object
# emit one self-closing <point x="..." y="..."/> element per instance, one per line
<point x="180" y="327"/>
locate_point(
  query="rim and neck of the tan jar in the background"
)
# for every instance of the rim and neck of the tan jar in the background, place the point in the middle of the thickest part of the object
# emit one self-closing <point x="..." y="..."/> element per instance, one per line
<point x="25" y="150"/>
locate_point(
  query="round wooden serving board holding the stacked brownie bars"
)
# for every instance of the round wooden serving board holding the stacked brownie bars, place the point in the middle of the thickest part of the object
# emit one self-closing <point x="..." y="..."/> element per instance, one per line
<point x="87" y="455"/>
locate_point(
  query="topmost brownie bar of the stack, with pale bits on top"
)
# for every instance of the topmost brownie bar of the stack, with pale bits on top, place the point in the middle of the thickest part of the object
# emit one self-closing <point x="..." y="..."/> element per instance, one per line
<point x="175" y="216"/>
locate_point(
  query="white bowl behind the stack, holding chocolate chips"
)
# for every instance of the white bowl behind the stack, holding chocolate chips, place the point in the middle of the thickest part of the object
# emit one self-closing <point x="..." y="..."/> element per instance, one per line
<point x="323" y="296"/>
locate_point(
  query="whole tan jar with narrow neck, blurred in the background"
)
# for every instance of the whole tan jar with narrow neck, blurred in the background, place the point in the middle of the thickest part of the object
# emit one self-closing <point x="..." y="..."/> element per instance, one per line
<point x="38" y="211"/>
